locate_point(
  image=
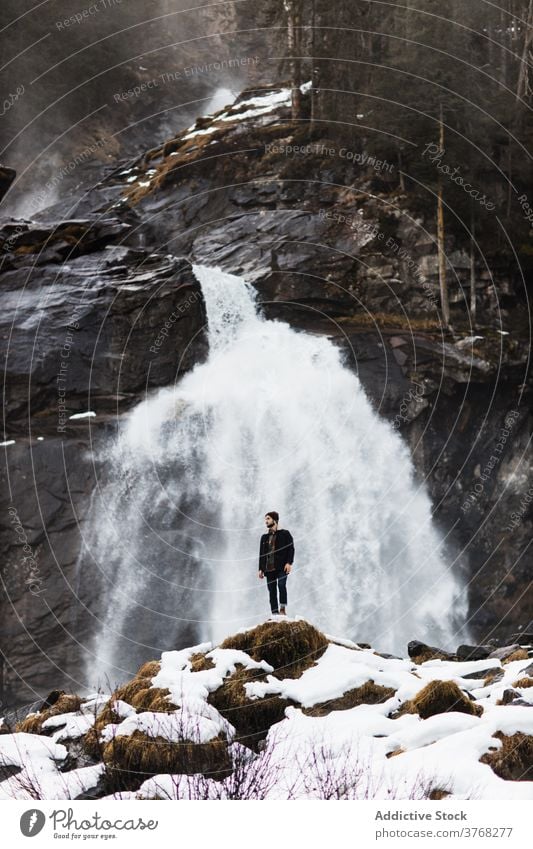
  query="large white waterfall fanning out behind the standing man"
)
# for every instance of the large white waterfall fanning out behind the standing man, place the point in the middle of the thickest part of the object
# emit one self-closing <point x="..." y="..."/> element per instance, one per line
<point x="271" y="421"/>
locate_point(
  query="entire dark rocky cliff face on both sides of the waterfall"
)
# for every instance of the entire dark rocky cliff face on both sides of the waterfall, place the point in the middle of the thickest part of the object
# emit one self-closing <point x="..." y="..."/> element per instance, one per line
<point x="330" y="242"/>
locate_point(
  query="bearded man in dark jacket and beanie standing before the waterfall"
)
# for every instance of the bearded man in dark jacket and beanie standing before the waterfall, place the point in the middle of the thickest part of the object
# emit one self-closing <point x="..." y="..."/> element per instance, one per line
<point x="276" y="556"/>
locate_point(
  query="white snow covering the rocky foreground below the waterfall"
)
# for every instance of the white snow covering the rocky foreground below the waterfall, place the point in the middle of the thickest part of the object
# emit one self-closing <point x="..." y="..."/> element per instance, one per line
<point x="302" y="755"/>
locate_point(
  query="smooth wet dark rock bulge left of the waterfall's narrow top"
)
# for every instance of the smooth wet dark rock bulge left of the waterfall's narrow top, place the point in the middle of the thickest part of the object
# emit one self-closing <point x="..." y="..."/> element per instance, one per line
<point x="90" y="328"/>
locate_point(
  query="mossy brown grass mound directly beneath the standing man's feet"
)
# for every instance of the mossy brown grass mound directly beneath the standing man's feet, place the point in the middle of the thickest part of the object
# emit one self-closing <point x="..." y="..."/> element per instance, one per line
<point x="290" y="647"/>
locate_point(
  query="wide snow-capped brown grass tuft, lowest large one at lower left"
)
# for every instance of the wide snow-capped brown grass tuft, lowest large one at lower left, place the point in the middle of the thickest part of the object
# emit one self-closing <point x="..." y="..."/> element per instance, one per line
<point x="131" y="760"/>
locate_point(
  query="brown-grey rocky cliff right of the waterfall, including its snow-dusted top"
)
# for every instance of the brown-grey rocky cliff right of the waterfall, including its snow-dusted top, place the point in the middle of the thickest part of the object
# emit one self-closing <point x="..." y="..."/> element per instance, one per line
<point x="331" y="243"/>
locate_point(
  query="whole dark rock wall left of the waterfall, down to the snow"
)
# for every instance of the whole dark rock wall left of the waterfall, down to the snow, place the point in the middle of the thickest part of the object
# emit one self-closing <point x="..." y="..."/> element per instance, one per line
<point x="82" y="319"/>
